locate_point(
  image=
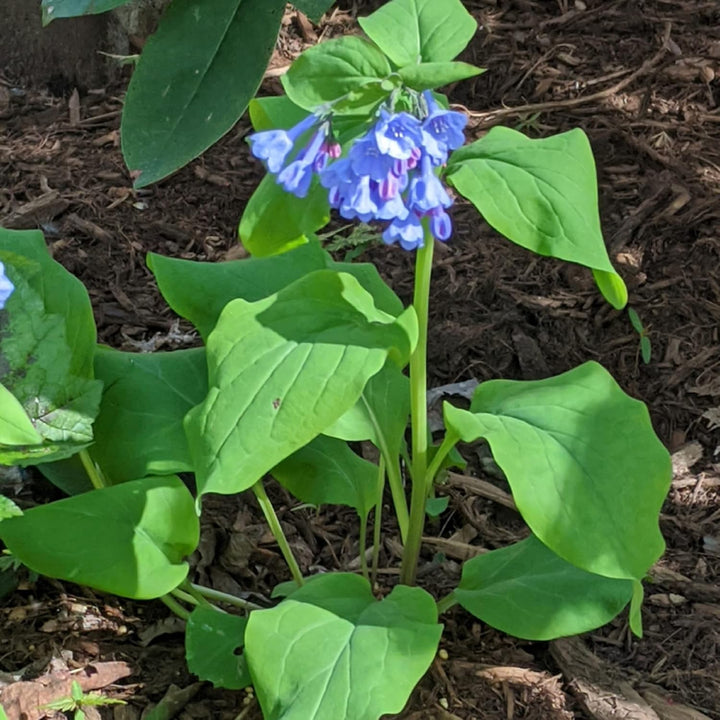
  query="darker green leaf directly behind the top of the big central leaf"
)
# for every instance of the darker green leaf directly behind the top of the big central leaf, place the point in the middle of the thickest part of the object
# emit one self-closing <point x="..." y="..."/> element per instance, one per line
<point x="199" y="291"/>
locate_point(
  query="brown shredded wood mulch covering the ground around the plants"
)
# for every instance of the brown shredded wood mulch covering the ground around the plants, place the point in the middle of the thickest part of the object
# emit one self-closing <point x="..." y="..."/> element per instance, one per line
<point x="640" y="77"/>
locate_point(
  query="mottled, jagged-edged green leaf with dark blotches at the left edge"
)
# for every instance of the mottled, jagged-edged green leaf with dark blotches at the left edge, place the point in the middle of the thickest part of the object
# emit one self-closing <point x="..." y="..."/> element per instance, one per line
<point x="35" y="358"/>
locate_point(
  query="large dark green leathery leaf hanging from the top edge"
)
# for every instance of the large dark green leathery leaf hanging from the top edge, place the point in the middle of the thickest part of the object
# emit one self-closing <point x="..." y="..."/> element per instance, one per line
<point x="195" y="78"/>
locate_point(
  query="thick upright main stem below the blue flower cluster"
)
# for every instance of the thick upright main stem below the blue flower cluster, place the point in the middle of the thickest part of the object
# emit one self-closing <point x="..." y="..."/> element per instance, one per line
<point x="418" y="412"/>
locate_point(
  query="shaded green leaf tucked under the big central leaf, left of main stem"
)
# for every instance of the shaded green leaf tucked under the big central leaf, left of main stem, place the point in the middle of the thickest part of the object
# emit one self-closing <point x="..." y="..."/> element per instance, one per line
<point x="327" y="471"/>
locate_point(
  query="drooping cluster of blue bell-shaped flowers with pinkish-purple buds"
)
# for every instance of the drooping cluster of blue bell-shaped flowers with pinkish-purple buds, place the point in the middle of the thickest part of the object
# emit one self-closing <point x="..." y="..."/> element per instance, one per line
<point x="389" y="174"/>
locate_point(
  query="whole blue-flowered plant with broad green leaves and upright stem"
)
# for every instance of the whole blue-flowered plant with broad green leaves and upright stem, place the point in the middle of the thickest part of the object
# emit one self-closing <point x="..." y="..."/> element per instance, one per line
<point x="303" y="355"/>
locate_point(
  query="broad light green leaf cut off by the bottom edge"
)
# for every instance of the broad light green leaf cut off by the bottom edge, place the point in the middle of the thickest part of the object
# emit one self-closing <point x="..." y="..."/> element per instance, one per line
<point x="331" y="651"/>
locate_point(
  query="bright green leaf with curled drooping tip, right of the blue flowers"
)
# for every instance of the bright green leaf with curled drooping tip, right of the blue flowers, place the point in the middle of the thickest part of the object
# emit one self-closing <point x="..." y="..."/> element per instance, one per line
<point x="540" y="194"/>
